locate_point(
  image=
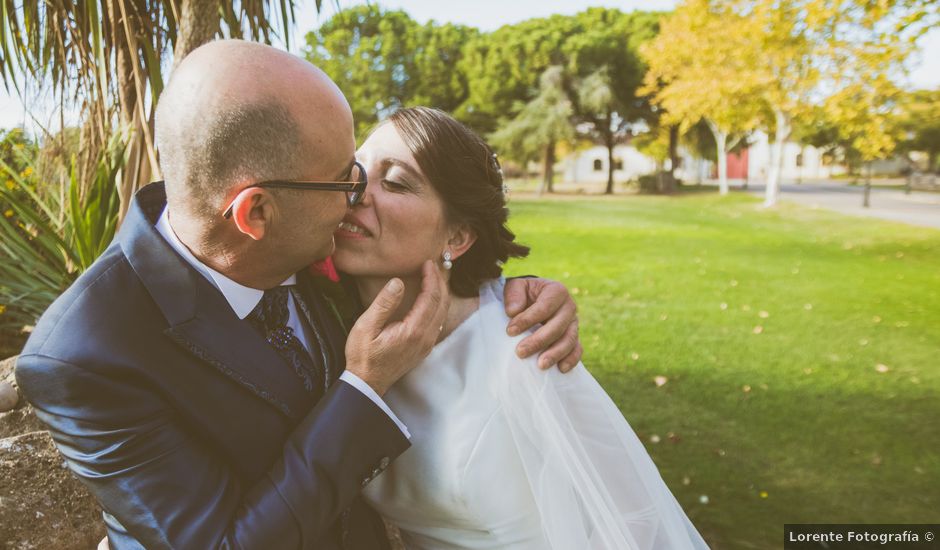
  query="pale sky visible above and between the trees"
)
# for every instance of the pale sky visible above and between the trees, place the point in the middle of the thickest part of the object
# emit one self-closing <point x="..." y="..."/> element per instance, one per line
<point x="483" y="14"/>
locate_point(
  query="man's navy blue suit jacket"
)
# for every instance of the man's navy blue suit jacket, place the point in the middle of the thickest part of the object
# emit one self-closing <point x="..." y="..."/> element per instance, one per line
<point x="185" y="424"/>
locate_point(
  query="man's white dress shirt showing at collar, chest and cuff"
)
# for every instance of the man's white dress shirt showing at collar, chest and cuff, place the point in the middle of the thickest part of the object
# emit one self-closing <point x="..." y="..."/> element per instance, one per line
<point x="243" y="300"/>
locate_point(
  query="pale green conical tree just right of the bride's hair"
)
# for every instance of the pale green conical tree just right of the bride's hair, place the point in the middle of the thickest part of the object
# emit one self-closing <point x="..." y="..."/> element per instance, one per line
<point x="539" y="126"/>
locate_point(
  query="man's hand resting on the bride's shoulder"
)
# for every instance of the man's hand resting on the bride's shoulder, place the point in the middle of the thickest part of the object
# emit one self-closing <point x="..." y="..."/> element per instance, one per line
<point x="532" y="301"/>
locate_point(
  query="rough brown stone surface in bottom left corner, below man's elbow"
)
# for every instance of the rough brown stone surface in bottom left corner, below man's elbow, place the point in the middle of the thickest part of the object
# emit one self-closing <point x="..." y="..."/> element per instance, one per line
<point x="42" y="505"/>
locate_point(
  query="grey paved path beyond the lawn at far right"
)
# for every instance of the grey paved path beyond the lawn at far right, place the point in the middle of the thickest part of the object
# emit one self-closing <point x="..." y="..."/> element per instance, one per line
<point x="919" y="208"/>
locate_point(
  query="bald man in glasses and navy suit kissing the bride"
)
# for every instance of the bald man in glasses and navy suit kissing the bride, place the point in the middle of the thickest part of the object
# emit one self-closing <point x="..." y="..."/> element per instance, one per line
<point x="197" y="378"/>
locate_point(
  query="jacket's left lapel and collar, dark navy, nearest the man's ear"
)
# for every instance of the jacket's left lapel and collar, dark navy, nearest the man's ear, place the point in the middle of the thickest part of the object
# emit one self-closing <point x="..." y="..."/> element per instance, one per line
<point x="199" y="318"/>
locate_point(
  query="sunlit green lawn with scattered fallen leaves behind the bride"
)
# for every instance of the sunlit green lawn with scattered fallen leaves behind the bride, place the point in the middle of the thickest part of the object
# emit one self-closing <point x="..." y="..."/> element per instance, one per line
<point x="801" y="348"/>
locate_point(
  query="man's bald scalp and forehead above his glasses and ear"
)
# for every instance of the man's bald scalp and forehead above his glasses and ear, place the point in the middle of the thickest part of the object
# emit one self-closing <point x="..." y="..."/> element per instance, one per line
<point x="235" y="113"/>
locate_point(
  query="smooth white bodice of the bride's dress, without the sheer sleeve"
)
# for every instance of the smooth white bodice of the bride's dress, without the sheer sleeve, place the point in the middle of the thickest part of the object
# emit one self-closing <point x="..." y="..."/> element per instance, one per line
<point x="460" y="485"/>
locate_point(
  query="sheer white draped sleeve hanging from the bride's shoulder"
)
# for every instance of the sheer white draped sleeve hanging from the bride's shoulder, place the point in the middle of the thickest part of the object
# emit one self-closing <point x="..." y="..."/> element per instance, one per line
<point x="594" y="484"/>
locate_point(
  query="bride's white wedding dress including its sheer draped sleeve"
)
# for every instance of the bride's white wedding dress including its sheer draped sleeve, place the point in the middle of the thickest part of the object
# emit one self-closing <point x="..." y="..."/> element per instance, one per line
<point x="507" y="456"/>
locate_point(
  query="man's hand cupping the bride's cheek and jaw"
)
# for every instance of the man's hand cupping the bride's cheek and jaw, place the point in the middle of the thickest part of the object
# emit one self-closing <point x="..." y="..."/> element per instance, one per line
<point x="380" y="354"/>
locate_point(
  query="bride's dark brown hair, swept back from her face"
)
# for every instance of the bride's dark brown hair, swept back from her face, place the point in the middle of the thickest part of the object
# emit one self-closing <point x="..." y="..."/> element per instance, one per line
<point x="464" y="172"/>
